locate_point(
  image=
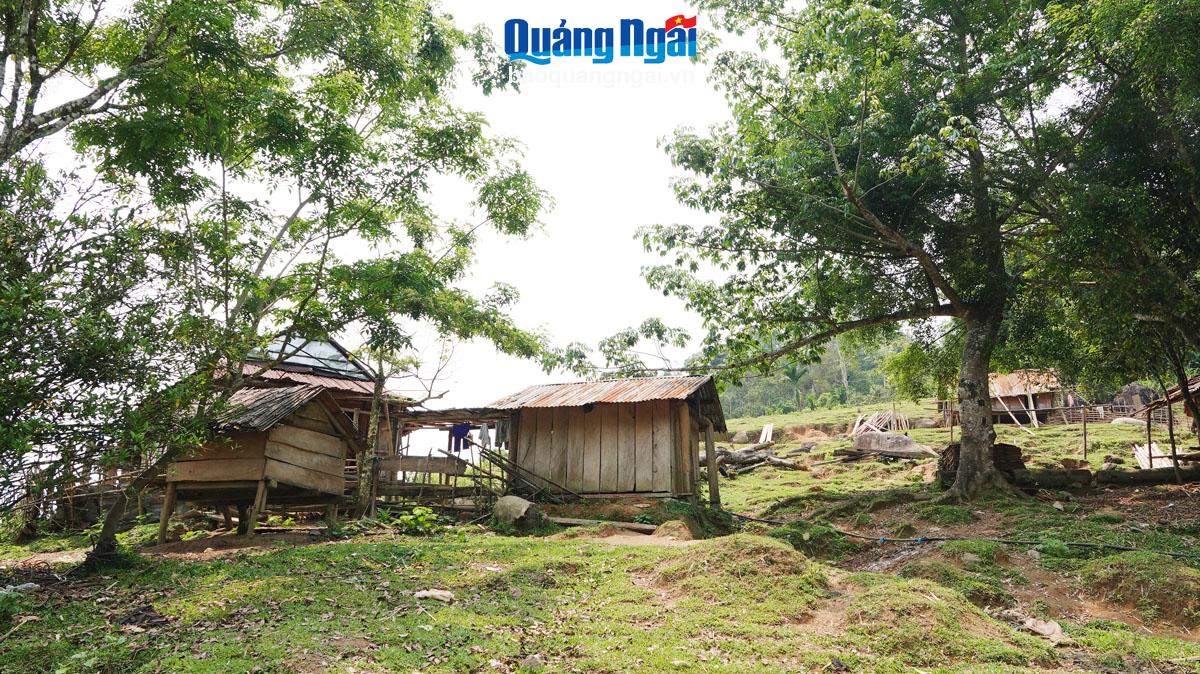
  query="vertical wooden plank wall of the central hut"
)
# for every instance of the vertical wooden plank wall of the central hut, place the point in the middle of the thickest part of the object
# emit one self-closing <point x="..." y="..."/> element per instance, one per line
<point x="611" y="448"/>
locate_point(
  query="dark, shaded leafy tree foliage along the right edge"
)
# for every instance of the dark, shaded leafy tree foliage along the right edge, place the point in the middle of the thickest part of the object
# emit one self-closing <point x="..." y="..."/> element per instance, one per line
<point x="1124" y="252"/>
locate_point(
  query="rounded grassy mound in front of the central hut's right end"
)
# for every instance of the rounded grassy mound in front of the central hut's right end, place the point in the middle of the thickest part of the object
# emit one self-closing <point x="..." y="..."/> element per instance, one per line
<point x="745" y="570"/>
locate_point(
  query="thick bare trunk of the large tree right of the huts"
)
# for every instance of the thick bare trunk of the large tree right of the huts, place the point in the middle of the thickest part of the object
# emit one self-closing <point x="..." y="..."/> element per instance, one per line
<point x="977" y="473"/>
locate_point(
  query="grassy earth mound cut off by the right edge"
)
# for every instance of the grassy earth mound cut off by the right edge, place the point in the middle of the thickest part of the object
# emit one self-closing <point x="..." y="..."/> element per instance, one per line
<point x="1160" y="587"/>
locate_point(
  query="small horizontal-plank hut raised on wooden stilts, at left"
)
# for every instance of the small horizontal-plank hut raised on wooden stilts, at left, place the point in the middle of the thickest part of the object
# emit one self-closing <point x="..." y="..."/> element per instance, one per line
<point x="284" y="446"/>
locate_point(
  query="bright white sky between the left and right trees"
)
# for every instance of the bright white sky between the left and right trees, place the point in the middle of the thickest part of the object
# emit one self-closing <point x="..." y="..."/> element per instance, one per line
<point x="591" y="136"/>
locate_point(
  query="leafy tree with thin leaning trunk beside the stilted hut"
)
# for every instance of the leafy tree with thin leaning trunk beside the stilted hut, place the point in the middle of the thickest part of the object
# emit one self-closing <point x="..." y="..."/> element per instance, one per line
<point x="271" y="140"/>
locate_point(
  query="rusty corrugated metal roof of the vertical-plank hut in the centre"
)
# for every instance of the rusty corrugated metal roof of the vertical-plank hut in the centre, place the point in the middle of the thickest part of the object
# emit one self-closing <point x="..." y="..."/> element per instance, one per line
<point x="703" y="389"/>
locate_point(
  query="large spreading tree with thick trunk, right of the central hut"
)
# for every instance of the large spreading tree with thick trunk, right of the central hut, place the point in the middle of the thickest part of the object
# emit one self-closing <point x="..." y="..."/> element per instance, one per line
<point x="886" y="164"/>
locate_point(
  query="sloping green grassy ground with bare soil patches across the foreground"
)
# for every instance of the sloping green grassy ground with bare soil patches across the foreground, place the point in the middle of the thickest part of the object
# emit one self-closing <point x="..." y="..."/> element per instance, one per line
<point x="802" y="598"/>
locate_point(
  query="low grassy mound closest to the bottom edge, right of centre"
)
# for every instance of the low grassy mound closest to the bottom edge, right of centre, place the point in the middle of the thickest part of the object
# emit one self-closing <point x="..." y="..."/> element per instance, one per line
<point x="921" y="623"/>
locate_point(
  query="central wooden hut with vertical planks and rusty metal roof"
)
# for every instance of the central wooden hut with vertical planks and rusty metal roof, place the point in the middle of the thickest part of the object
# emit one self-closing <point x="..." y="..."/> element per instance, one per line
<point x="615" y="437"/>
